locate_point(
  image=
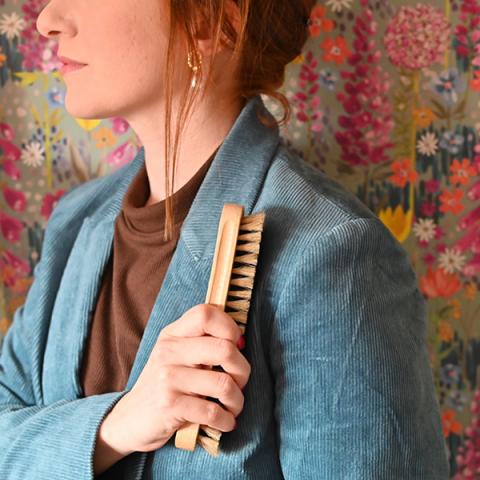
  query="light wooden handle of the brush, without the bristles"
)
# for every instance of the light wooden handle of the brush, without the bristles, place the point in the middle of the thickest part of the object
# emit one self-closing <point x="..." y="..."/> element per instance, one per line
<point x="218" y="286"/>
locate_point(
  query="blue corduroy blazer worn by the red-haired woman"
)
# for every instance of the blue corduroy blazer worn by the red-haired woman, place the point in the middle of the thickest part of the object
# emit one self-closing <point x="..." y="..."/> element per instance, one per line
<point x="341" y="386"/>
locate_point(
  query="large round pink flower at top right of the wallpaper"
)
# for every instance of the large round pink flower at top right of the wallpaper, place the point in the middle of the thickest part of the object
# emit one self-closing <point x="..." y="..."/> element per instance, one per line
<point x="417" y="37"/>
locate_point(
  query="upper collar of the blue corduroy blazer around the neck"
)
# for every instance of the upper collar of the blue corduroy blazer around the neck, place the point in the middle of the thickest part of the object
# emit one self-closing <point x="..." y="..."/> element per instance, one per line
<point x="235" y="176"/>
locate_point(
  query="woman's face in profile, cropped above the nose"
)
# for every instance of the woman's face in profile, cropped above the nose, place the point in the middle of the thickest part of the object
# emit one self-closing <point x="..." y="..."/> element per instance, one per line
<point x="123" y="43"/>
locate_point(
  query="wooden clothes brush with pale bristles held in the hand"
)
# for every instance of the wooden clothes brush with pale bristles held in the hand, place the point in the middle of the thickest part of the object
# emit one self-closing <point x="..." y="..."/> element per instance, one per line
<point x="230" y="287"/>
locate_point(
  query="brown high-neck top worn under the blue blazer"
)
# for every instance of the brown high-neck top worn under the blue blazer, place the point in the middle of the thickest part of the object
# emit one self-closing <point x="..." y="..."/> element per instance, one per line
<point x="140" y="258"/>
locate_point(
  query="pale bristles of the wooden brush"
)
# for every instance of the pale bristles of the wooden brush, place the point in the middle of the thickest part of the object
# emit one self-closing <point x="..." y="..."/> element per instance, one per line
<point x="250" y="234"/>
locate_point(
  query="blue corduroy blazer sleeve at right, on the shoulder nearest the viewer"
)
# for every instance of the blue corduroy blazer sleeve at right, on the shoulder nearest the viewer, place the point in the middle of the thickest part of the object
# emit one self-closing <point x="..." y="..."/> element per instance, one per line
<point x="354" y="390"/>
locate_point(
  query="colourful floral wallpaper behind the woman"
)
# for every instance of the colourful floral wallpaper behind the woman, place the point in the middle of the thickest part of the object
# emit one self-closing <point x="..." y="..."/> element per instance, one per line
<point x="385" y="98"/>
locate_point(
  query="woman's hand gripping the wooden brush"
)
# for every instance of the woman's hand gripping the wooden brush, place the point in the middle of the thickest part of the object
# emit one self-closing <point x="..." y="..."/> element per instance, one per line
<point x="166" y="394"/>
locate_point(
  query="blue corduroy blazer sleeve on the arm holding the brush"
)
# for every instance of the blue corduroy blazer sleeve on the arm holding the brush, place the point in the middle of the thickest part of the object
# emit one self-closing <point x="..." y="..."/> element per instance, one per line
<point x="38" y="441"/>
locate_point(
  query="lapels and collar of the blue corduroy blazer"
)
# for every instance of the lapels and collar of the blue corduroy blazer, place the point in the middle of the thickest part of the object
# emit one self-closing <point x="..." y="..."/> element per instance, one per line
<point x="236" y="175"/>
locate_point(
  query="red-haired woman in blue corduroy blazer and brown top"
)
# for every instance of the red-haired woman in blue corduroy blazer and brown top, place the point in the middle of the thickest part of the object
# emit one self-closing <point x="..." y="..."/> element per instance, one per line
<point x="102" y="364"/>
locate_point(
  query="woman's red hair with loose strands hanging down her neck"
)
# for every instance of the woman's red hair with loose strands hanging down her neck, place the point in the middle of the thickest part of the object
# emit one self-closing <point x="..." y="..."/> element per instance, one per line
<point x="269" y="34"/>
